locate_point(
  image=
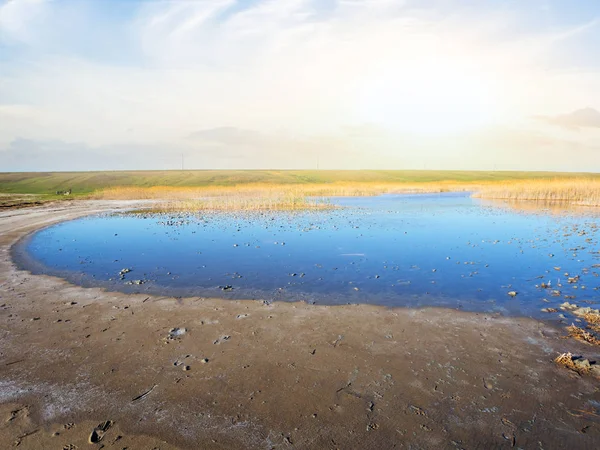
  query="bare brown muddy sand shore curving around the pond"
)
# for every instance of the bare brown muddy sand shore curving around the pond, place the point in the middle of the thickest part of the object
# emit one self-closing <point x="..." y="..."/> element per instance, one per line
<point x="272" y="376"/>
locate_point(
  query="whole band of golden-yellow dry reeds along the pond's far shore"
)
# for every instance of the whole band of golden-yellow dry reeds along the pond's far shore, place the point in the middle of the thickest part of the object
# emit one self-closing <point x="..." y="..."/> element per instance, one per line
<point x="581" y="191"/>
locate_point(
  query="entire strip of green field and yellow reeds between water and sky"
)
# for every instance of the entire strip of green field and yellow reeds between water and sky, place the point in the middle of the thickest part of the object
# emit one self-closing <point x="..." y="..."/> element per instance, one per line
<point x="281" y="189"/>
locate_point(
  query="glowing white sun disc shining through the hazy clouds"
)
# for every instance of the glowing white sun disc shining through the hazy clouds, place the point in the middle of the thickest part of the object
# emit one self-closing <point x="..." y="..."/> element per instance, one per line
<point x="434" y="95"/>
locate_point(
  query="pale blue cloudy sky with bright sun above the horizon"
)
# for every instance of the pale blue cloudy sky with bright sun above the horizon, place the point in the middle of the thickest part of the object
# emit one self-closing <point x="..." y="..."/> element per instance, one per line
<point x="300" y="84"/>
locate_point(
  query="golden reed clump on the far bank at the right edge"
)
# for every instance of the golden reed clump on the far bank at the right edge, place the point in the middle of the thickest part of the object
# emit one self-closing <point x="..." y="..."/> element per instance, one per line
<point x="582" y="191"/>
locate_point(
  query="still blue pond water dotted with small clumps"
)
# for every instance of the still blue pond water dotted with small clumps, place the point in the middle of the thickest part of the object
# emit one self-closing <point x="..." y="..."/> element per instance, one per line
<point x="394" y="250"/>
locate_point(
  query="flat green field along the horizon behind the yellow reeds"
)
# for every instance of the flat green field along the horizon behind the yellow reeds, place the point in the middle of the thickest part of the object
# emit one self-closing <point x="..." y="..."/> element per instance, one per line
<point x="47" y="183"/>
